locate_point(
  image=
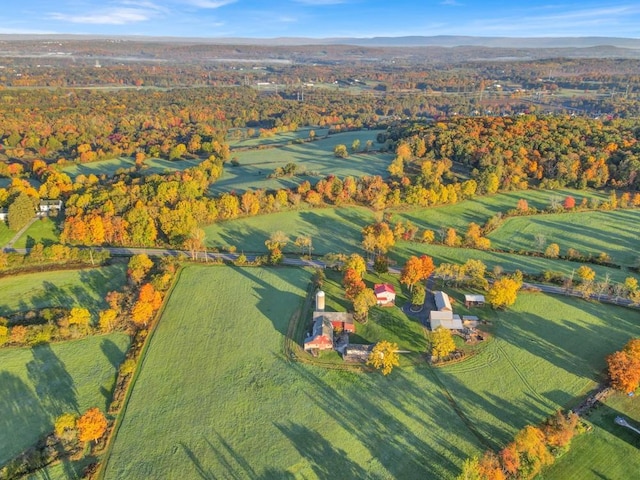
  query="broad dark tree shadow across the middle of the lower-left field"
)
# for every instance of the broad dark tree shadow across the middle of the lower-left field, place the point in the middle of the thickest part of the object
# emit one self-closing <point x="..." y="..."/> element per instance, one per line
<point x="54" y="386"/>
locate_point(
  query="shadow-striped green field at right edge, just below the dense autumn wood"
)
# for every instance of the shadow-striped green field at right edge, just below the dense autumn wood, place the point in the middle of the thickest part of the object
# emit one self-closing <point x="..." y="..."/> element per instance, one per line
<point x="615" y="232"/>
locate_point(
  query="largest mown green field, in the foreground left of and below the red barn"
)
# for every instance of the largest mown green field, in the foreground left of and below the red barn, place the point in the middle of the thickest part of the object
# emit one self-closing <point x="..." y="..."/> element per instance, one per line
<point x="216" y="399"/>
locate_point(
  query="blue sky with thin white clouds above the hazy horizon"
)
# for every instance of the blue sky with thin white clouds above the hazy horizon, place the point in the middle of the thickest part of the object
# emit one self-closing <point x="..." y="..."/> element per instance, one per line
<point x="322" y="18"/>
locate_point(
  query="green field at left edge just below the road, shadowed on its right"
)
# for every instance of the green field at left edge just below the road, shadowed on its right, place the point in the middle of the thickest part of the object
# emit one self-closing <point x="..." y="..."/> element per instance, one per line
<point x="62" y="288"/>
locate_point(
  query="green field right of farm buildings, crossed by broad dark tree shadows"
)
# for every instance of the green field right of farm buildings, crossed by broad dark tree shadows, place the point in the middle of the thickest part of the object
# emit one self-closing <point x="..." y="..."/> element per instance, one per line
<point x="548" y="353"/>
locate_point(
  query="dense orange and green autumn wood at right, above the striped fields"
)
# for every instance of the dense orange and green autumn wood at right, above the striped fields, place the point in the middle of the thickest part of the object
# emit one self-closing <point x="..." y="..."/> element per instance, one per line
<point x="522" y="151"/>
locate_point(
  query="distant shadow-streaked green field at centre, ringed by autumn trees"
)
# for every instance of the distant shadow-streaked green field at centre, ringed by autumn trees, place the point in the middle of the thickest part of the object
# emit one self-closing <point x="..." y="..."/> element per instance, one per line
<point x="316" y="158"/>
